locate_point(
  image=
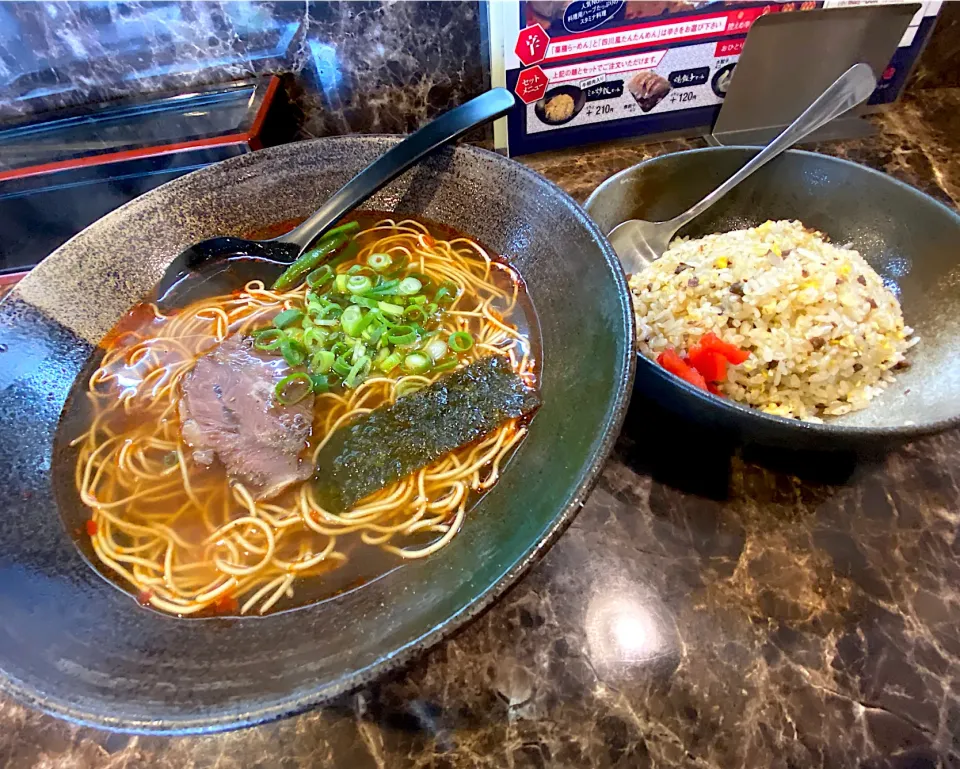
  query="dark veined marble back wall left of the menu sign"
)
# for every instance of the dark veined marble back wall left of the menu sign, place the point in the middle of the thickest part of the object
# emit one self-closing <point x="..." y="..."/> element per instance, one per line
<point x="353" y="66"/>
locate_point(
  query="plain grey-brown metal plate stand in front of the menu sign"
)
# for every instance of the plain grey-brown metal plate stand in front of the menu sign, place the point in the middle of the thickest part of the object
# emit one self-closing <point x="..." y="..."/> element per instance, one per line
<point x="790" y="58"/>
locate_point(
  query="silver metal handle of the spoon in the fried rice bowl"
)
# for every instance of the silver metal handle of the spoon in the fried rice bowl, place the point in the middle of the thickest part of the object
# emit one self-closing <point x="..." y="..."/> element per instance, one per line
<point x="850" y="89"/>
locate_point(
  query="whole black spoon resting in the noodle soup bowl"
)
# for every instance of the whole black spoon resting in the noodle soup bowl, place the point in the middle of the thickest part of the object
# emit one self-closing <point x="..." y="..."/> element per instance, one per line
<point x="219" y="265"/>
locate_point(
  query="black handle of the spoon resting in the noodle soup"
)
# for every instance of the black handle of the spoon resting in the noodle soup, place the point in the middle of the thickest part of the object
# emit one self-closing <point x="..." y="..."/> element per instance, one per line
<point x="399" y="158"/>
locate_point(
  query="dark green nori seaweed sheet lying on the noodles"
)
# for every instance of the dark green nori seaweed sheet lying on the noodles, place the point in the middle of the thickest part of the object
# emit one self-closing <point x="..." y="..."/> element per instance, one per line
<point x="391" y="442"/>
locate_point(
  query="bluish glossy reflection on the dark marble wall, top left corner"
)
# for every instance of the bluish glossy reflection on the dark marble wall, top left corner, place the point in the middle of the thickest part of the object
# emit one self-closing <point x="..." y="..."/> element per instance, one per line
<point x="55" y="54"/>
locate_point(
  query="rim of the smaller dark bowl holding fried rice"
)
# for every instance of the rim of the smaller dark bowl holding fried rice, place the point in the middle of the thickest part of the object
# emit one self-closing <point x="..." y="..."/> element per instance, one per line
<point x="738" y="411"/>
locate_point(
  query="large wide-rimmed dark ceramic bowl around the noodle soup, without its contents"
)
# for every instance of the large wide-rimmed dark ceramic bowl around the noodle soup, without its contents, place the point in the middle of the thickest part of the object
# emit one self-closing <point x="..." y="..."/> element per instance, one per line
<point x="75" y="645"/>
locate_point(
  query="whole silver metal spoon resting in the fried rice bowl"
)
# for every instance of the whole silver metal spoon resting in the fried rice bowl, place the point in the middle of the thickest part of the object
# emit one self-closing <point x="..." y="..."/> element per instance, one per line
<point x="638" y="242"/>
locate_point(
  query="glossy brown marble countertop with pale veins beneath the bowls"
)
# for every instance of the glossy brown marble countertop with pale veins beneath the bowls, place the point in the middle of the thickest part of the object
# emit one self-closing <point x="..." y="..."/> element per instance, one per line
<point x="711" y="606"/>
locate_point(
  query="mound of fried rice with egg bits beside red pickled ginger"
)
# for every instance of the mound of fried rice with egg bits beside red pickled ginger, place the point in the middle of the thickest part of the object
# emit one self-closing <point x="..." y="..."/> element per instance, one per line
<point x="823" y="332"/>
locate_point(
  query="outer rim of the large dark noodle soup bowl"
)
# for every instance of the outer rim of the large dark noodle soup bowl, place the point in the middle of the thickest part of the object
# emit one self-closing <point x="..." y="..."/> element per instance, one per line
<point x="293" y="703"/>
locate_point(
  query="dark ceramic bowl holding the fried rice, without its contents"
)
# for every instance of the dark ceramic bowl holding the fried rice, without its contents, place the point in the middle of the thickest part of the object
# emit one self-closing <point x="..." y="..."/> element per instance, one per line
<point x="909" y="238"/>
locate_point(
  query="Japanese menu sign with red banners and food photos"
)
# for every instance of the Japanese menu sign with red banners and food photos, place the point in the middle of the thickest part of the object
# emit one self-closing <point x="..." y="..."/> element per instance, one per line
<point x="590" y="70"/>
